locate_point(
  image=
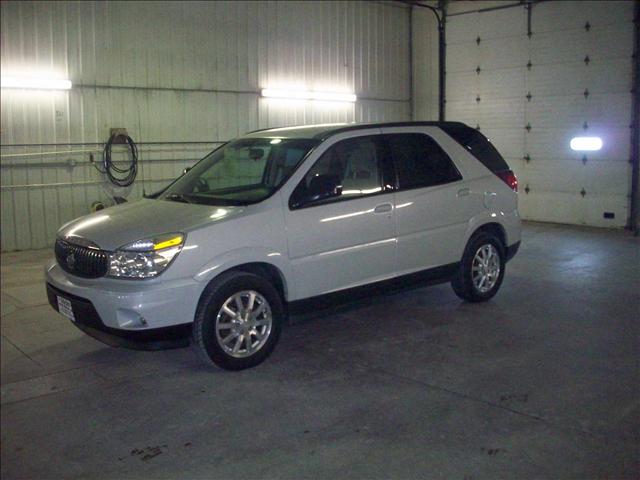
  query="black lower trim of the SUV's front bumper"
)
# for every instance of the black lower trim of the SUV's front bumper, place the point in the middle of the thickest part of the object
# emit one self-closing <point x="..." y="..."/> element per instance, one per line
<point x="88" y="320"/>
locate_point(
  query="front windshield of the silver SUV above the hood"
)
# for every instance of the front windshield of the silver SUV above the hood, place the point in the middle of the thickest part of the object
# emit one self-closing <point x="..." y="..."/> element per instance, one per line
<point x="243" y="171"/>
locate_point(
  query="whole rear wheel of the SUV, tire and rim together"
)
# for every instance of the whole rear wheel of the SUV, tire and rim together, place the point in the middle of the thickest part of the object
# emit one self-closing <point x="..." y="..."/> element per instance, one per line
<point x="481" y="245"/>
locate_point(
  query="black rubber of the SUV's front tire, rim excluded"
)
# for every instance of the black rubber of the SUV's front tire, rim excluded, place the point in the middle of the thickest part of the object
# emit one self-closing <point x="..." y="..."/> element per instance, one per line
<point x="221" y="289"/>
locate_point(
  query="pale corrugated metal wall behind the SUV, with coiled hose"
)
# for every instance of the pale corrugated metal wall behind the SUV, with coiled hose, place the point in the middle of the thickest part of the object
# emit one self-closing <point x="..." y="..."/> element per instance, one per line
<point x="175" y="72"/>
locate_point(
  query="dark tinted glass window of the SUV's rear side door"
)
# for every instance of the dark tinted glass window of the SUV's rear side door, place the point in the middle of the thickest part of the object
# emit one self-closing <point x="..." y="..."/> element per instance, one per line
<point x="420" y="161"/>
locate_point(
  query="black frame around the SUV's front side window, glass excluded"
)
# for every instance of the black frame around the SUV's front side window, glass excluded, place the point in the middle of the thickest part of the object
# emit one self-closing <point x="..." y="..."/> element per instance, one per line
<point x="388" y="175"/>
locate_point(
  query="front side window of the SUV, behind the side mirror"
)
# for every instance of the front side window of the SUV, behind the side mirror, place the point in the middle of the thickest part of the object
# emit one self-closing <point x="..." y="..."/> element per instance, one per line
<point x="349" y="169"/>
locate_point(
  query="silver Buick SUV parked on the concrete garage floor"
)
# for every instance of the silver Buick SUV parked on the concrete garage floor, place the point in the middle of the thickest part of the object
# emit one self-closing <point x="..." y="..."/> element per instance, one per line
<point x="283" y="215"/>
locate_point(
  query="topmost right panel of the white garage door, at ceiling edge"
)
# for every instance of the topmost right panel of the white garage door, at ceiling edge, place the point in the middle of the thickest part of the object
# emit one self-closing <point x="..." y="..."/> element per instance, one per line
<point x="566" y="15"/>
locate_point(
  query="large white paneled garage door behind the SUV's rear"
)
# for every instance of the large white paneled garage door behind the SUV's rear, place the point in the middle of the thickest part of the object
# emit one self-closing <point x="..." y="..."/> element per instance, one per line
<point x="530" y="94"/>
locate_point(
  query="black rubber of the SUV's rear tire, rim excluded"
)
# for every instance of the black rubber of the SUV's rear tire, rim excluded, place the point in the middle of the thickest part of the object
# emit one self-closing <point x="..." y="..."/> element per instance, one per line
<point x="463" y="283"/>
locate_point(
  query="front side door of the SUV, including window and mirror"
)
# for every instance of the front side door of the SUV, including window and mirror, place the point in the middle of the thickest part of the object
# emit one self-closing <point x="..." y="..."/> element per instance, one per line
<point x="340" y="220"/>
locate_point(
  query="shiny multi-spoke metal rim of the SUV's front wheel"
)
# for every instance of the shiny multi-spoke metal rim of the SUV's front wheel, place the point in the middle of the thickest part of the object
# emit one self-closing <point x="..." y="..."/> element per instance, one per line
<point x="243" y="324"/>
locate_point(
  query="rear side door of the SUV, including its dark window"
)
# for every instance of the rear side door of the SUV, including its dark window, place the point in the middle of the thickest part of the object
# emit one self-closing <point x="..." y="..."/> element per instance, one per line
<point x="433" y="203"/>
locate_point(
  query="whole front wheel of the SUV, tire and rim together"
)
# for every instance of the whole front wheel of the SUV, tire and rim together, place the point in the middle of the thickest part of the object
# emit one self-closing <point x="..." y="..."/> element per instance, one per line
<point x="223" y="339"/>
